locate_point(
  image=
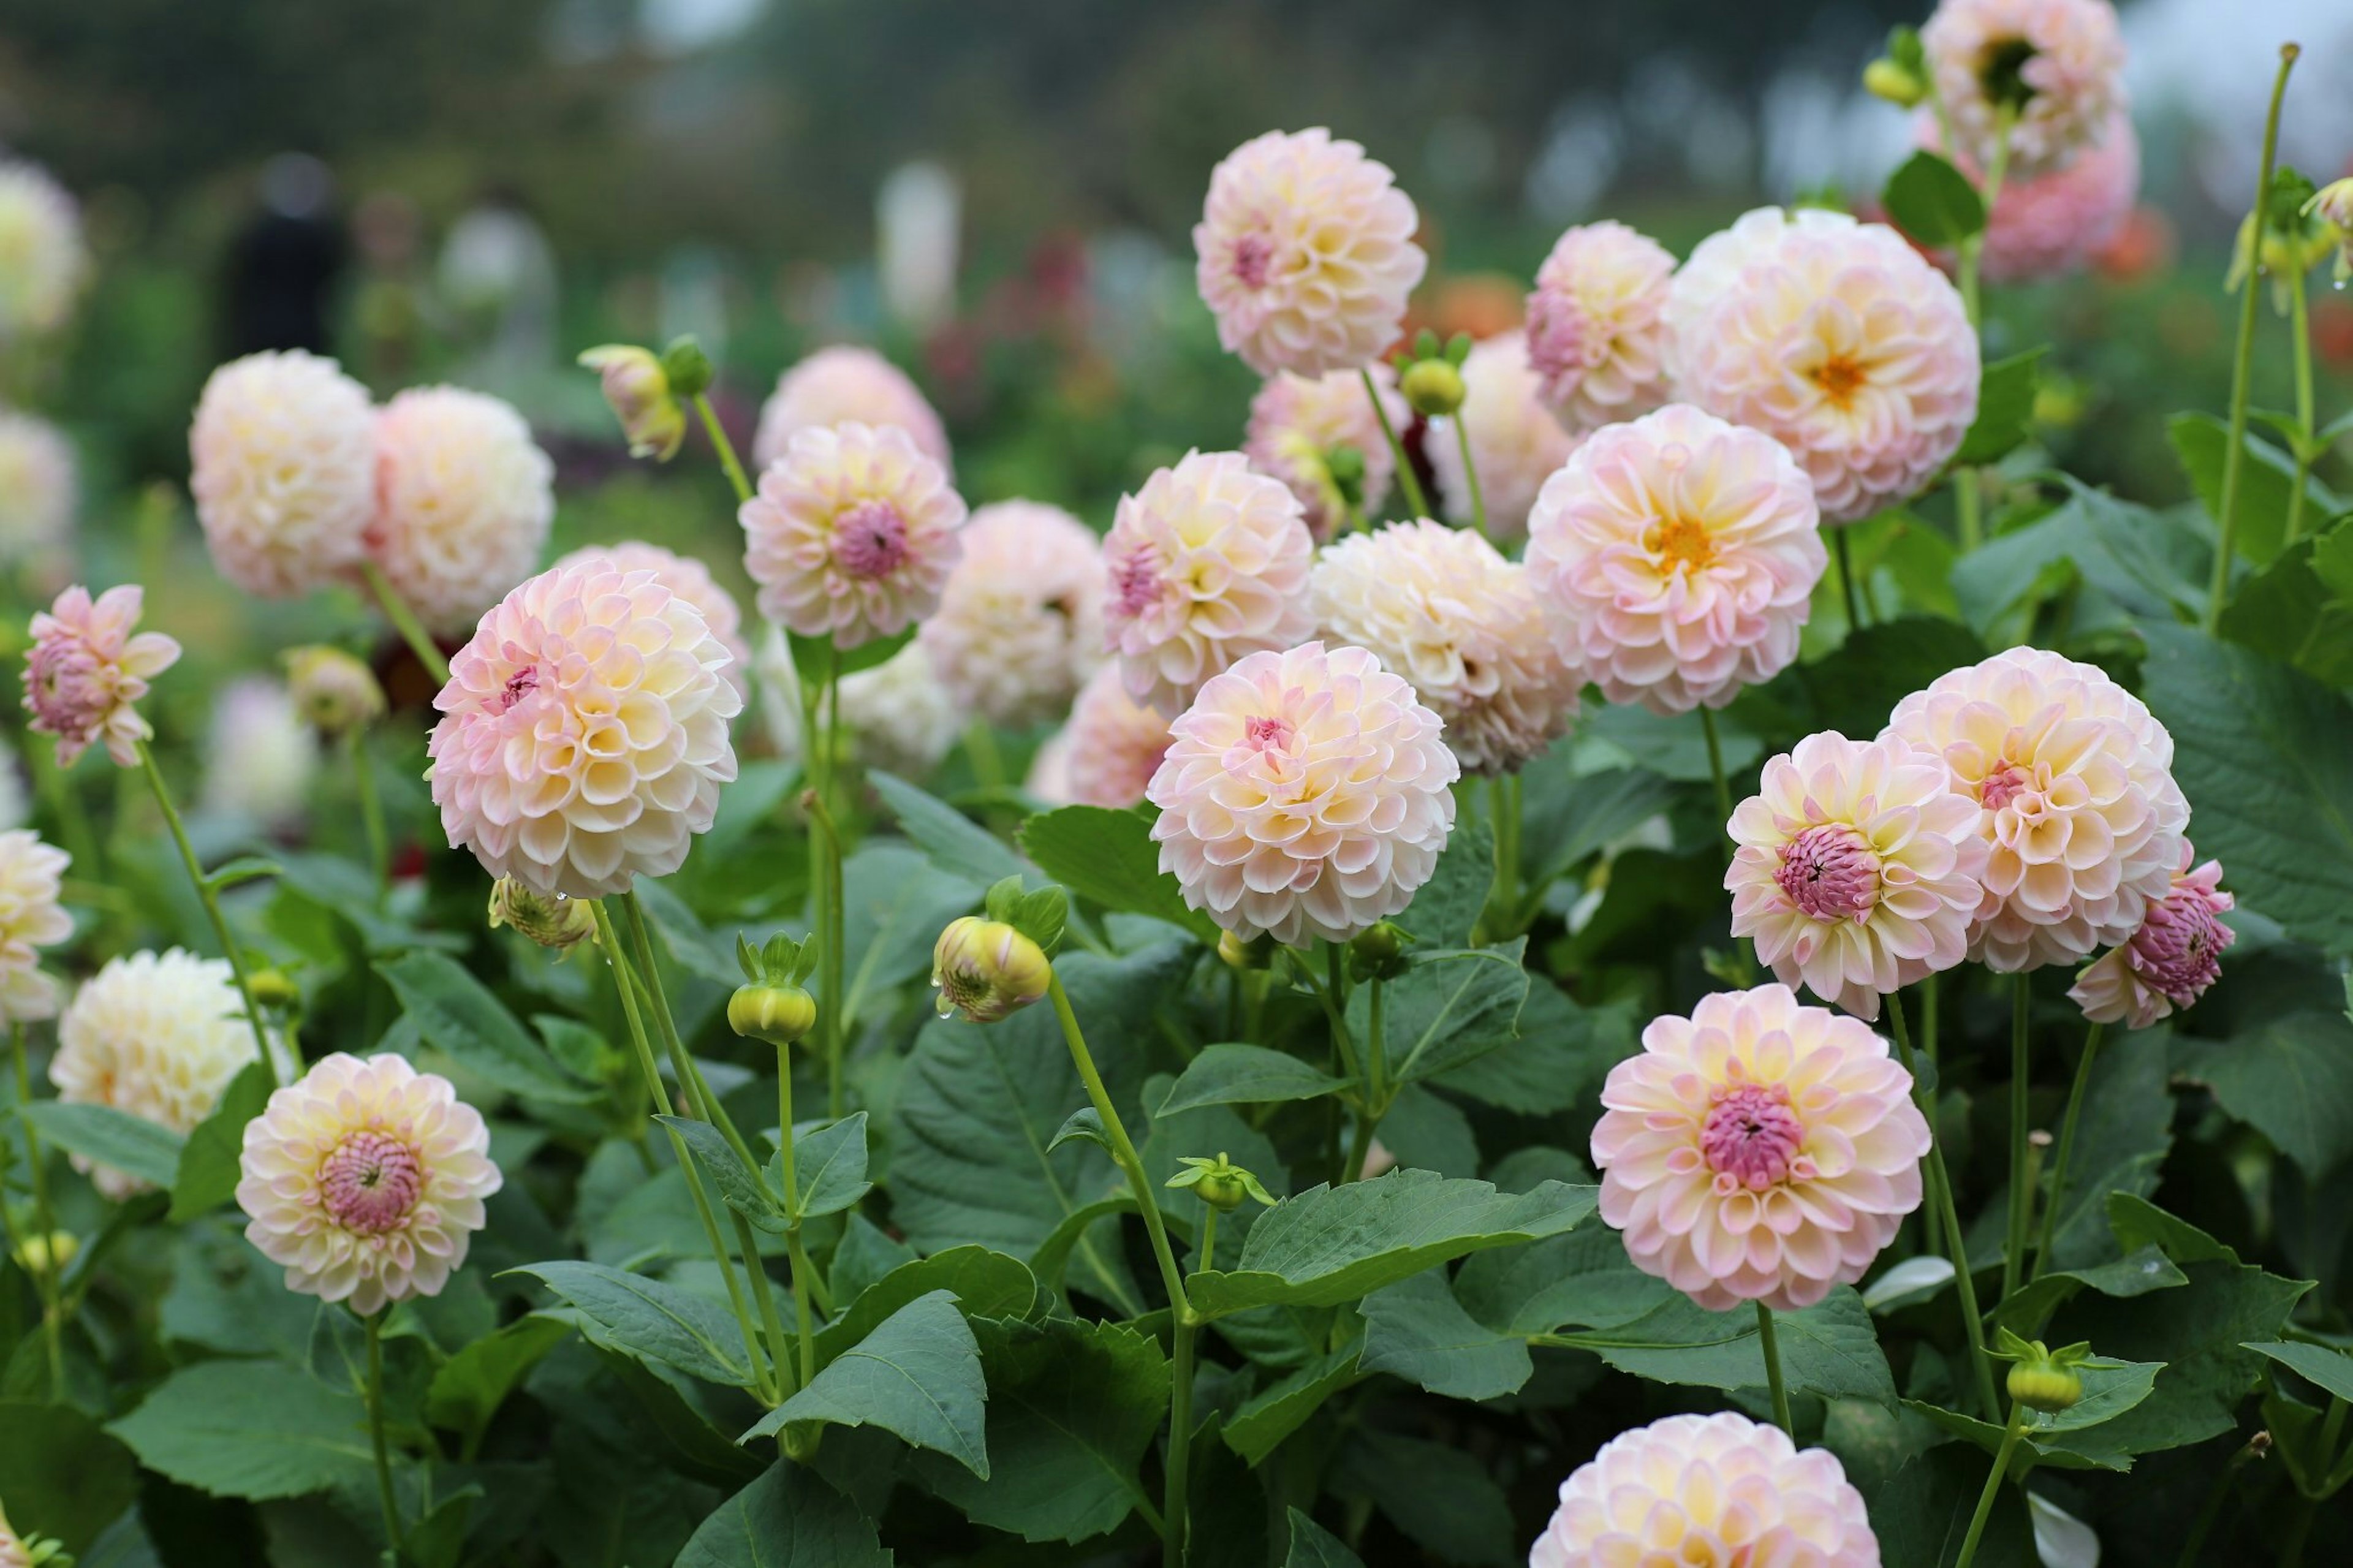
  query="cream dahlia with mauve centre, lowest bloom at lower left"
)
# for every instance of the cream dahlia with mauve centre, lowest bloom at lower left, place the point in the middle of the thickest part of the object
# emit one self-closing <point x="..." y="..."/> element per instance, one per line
<point x="366" y="1181"/>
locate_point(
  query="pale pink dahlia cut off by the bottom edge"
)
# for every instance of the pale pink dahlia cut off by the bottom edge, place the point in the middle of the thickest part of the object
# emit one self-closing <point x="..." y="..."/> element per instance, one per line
<point x="1707" y="1489"/>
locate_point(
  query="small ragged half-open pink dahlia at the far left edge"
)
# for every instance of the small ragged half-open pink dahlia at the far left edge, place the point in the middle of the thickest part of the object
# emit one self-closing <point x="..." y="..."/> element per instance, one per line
<point x="88" y="670"/>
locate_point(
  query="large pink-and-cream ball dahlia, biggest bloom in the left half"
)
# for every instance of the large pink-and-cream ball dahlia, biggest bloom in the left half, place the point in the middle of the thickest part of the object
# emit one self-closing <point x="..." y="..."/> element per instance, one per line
<point x="585" y="731"/>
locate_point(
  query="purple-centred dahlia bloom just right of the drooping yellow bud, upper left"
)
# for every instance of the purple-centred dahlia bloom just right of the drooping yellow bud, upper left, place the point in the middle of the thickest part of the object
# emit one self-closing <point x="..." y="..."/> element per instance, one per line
<point x="853" y="533"/>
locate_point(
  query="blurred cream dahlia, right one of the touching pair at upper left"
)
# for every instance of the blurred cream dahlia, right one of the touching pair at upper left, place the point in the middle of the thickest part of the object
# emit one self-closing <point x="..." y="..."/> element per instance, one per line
<point x="462" y="503"/>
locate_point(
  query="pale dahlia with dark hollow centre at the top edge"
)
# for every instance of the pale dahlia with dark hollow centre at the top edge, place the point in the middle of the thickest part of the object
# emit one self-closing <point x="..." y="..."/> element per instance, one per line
<point x="2055" y="65"/>
